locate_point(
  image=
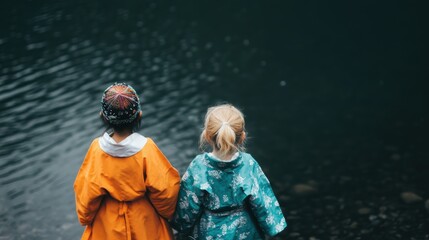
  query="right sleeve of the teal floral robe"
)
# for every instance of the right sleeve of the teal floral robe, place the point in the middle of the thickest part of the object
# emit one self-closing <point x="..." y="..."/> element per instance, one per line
<point x="264" y="204"/>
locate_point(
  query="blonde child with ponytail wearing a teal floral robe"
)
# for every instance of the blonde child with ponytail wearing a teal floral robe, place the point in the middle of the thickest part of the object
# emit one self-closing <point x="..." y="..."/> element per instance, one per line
<point x="225" y="194"/>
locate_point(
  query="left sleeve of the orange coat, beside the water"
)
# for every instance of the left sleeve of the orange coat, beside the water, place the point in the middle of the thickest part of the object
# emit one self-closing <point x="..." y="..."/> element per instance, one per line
<point x="88" y="194"/>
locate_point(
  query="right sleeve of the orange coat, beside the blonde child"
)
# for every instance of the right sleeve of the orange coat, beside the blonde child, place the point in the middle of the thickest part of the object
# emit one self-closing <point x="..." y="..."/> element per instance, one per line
<point x="162" y="181"/>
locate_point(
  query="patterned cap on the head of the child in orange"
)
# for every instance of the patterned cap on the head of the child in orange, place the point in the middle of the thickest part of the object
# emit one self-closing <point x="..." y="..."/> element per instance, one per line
<point x="120" y="104"/>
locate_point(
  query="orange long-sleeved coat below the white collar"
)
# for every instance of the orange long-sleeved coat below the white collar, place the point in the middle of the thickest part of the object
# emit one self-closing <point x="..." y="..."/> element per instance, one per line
<point x="126" y="197"/>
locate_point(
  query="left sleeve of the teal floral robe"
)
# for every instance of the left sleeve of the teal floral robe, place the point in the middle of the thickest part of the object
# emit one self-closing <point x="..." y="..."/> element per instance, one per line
<point x="189" y="205"/>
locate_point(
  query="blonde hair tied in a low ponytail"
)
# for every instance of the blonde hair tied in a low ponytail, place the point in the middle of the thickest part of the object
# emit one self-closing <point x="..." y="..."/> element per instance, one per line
<point x="223" y="129"/>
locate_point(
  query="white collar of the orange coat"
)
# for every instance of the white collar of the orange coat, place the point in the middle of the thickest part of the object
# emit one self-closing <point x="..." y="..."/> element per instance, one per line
<point x="127" y="147"/>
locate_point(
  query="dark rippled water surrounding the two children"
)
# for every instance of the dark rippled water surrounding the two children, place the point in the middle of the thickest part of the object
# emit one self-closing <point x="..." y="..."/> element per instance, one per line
<point x="335" y="98"/>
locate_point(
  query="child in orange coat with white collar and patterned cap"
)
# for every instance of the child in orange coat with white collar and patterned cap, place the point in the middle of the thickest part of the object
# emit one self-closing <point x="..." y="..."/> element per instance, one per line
<point x="126" y="188"/>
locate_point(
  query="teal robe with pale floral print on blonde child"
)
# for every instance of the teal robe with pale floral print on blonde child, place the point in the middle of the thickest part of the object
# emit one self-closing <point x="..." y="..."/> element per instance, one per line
<point x="227" y="200"/>
